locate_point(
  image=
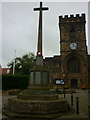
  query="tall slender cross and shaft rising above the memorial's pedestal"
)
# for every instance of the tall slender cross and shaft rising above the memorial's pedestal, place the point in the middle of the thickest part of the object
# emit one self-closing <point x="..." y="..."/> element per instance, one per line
<point x="39" y="49"/>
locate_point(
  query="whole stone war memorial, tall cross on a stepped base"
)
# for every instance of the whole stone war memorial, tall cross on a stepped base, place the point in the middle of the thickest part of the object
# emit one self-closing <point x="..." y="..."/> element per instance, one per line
<point x="37" y="101"/>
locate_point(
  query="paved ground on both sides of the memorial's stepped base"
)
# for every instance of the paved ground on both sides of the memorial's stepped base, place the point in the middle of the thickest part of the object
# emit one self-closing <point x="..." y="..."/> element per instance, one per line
<point x="83" y="104"/>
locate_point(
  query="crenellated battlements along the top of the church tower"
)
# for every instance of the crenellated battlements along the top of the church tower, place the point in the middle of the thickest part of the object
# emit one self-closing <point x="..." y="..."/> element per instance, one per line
<point x="72" y="18"/>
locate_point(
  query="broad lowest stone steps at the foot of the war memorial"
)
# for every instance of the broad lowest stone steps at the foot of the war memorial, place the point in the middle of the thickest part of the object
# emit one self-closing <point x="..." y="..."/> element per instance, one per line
<point x="35" y="106"/>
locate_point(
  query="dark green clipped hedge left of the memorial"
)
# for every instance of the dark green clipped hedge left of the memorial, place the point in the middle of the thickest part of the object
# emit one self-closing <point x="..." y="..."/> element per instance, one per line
<point x="15" y="81"/>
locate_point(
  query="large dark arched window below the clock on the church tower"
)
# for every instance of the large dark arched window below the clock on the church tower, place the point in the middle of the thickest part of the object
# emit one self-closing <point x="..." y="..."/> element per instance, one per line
<point x="73" y="65"/>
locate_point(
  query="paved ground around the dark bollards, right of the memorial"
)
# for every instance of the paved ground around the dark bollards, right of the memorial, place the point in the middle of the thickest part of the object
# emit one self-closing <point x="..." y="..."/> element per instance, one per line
<point x="83" y="101"/>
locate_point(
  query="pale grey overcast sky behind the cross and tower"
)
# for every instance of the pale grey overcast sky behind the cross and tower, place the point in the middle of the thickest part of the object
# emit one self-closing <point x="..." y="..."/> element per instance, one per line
<point x="20" y="27"/>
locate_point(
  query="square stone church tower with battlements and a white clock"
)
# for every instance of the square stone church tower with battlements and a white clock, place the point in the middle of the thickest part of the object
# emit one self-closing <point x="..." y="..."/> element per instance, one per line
<point x="74" y="64"/>
